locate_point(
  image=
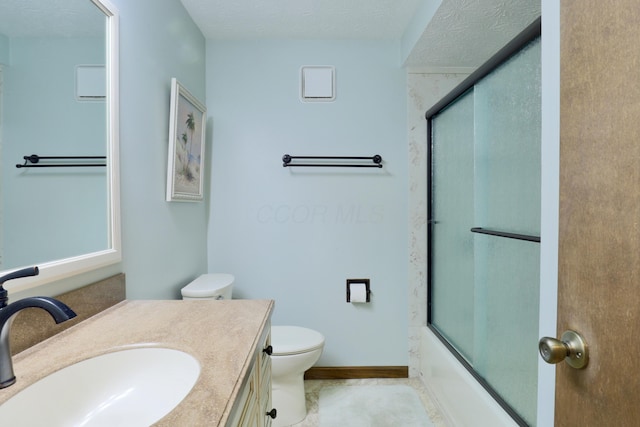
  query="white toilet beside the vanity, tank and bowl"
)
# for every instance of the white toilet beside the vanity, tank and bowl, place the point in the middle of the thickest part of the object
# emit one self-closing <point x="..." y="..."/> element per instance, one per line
<point x="295" y="349"/>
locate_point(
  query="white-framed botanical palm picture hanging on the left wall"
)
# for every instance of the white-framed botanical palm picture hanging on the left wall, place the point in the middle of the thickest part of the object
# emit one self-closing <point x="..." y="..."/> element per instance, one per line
<point x="187" y="124"/>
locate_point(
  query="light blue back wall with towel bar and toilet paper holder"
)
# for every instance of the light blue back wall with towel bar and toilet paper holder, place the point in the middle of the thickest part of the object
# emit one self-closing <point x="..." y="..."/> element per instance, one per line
<point x="296" y="235"/>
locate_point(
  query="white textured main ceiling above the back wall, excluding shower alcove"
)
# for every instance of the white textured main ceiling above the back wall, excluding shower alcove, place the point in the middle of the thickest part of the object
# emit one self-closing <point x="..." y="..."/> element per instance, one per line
<point x="302" y="19"/>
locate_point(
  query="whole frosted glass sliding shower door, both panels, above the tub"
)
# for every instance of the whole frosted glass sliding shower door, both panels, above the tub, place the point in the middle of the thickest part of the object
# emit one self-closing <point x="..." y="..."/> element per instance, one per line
<point x="485" y="228"/>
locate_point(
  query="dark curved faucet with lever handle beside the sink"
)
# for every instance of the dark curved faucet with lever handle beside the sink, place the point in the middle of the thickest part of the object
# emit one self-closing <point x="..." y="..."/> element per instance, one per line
<point x="59" y="311"/>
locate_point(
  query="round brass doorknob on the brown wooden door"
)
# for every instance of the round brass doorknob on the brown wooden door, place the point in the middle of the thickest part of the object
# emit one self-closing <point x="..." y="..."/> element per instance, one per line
<point x="571" y="348"/>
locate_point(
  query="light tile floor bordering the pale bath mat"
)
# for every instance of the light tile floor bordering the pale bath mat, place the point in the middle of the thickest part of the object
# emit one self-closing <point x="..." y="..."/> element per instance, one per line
<point x="313" y="387"/>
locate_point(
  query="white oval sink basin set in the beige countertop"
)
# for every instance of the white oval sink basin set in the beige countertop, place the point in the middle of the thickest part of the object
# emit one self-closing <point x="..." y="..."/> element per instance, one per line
<point x="134" y="387"/>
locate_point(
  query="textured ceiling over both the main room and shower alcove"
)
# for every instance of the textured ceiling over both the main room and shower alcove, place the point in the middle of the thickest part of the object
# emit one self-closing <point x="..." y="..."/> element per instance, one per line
<point x="462" y="33"/>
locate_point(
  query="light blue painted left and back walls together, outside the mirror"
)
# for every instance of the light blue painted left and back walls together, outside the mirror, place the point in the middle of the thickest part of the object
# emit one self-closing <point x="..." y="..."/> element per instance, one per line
<point x="289" y="234"/>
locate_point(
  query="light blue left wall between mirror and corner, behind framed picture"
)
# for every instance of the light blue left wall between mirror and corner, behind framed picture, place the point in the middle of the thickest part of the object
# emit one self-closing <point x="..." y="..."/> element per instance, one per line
<point x="164" y="244"/>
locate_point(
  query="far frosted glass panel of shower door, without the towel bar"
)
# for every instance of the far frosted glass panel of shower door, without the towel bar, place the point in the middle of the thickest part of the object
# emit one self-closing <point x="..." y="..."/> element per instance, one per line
<point x="452" y="262"/>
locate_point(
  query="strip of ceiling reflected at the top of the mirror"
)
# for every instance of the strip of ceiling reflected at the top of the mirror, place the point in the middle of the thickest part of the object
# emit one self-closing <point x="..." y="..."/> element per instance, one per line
<point x="50" y="18"/>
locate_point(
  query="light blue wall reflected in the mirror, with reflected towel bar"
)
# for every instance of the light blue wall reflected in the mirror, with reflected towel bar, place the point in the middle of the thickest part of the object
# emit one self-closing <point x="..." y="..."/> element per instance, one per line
<point x="51" y="213"/>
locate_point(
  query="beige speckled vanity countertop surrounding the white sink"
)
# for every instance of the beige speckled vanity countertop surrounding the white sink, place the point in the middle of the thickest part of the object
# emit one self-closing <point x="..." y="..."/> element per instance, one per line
<point x="222" y="335"/>
